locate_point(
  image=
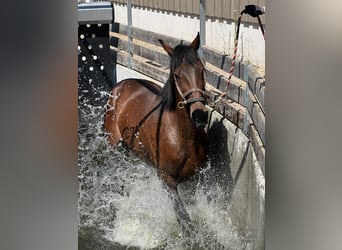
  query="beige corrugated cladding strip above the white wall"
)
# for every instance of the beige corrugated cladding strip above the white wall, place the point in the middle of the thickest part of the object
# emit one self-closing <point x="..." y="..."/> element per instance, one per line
<point x="222" y="9"/>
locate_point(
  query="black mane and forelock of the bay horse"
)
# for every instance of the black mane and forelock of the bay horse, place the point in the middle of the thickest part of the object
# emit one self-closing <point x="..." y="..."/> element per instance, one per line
<point x="167" y="93"/>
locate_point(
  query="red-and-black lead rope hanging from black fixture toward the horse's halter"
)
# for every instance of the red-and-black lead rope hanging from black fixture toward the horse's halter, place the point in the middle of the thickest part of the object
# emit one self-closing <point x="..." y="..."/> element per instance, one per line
<point x="254" y="11"/>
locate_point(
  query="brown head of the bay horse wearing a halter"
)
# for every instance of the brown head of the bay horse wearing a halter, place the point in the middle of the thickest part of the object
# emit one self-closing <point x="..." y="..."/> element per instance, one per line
<point x="187" y="78"/>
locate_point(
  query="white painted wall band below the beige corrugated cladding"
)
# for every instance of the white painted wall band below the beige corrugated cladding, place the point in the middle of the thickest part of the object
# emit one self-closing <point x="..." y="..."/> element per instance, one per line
<point x="219" y="35"/>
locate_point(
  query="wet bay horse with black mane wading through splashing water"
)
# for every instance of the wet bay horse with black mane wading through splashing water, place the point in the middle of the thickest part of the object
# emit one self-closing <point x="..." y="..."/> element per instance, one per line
<point x="164" y="126"/>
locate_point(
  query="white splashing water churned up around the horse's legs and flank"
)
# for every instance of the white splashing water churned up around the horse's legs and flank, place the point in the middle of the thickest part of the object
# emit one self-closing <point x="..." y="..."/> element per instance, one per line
<point x="122" y="202"/>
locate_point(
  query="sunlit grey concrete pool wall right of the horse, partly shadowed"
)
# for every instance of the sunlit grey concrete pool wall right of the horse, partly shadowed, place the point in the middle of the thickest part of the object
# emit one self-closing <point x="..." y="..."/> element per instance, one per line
<point x="247" y="182"/>
